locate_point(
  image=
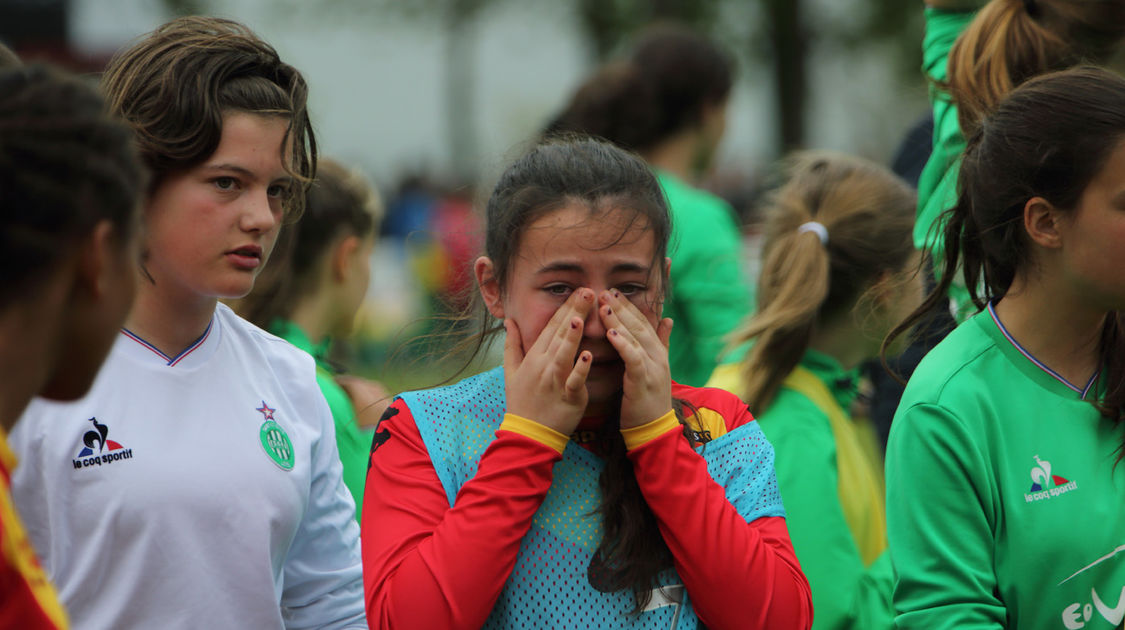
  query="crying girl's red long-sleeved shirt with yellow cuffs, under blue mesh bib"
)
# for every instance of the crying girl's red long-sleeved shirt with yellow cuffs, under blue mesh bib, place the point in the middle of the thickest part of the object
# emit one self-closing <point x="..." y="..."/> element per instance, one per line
<point x="427" y="565"/>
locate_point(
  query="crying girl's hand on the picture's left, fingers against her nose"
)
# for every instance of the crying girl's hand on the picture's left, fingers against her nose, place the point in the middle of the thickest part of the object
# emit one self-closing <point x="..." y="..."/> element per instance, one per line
<point x="545" y="383"/>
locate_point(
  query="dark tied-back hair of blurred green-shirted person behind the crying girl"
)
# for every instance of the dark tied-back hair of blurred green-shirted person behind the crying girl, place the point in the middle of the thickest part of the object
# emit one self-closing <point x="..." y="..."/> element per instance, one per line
<point x="661" y="89"/>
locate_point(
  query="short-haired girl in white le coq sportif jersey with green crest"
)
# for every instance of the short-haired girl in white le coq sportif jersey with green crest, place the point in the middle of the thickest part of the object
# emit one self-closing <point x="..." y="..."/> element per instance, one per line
<point x="199" y="484"/>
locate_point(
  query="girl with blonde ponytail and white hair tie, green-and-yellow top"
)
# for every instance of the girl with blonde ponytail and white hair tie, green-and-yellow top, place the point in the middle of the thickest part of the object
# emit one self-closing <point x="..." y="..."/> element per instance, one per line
<point x="839" y="272"/>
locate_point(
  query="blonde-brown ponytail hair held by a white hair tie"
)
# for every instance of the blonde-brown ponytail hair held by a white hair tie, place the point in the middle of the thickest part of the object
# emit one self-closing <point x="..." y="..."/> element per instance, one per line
<point x="869" y="215"/>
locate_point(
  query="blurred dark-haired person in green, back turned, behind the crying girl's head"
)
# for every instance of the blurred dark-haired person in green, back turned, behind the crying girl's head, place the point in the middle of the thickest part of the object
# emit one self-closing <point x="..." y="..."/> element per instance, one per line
<point x="668" y="102"/>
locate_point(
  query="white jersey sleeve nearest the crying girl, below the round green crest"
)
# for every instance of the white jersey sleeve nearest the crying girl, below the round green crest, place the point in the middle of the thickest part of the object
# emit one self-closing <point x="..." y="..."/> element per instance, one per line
<point x="323" y="586"/>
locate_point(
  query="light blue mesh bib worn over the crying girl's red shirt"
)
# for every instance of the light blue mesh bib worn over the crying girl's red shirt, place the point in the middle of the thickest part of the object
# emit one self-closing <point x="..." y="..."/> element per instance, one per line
<point x="548" y="588"/>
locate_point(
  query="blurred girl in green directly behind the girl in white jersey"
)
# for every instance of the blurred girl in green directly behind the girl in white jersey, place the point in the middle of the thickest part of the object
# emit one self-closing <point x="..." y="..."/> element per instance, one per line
<point x="310" y="295"/>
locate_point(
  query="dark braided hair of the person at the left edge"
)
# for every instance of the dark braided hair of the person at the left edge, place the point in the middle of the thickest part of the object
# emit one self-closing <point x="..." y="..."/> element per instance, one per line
<point x="65" y="167"/>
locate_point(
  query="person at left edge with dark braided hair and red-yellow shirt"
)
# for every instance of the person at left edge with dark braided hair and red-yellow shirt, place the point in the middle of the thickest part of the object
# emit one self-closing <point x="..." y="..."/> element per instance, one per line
<point x="70" y="188"/>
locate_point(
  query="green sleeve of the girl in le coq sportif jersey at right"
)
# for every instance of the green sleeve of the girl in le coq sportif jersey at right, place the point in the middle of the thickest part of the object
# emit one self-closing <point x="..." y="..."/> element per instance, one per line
<point x="940" y="524"/>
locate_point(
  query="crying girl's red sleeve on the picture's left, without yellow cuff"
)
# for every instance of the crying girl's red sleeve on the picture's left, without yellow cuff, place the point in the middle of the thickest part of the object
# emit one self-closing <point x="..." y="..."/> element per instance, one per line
<point x="426" y="564"/>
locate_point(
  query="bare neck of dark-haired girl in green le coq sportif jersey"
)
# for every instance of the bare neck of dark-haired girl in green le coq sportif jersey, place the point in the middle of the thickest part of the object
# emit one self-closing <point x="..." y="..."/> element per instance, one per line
<point x="1055" y="325"/>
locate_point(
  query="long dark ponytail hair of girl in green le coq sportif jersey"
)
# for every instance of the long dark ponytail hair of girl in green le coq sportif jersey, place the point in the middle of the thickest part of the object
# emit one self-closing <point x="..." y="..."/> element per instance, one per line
<point x="1049" y="139"/>
